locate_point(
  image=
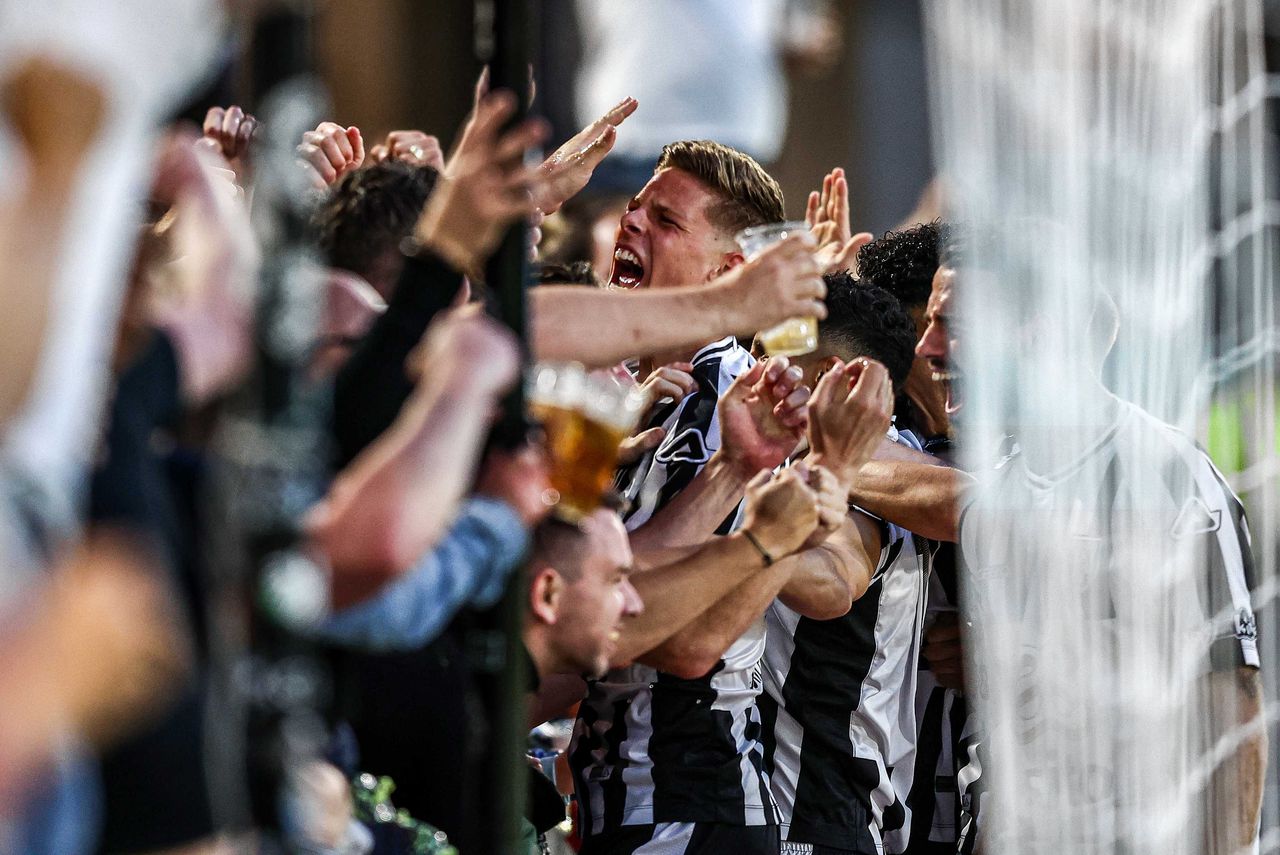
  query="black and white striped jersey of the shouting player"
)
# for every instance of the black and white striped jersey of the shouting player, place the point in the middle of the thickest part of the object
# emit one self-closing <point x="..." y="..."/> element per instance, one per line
<point x="651" y="748"/>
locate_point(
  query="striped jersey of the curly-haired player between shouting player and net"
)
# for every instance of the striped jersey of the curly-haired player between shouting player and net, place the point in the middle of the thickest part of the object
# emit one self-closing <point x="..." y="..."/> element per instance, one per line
<point x="839" y="707"/>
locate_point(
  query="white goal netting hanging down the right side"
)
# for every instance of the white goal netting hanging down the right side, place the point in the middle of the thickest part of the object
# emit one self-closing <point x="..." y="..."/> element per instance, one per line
<point x="1110" y="164"/>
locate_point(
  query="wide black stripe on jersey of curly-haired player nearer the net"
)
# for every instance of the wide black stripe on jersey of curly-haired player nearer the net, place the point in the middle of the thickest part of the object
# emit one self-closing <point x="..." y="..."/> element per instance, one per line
<point x="833" y="803"/>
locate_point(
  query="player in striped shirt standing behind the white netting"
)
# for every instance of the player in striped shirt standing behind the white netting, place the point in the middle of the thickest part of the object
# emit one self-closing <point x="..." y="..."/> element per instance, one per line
<point x="1162" y="571"/>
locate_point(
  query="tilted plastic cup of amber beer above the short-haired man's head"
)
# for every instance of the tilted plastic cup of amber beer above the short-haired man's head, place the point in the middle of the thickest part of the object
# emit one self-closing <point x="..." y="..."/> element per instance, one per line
<point x="587" y="418"/>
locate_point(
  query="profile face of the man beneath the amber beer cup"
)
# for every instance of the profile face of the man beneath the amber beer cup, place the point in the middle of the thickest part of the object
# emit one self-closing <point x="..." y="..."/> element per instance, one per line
<point x="596" y="603"/>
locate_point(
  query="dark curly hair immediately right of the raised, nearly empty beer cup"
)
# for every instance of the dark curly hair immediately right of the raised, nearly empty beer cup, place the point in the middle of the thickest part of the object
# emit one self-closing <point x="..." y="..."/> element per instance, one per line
<point x="866" y="321"/>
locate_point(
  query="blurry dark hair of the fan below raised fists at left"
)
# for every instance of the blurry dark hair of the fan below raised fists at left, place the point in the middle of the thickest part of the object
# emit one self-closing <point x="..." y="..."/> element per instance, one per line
<point x="364" y="218"/>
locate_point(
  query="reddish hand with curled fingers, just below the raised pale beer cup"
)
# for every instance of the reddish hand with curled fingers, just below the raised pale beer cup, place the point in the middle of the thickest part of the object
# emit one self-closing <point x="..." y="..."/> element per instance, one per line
<point x="764" y="415"/>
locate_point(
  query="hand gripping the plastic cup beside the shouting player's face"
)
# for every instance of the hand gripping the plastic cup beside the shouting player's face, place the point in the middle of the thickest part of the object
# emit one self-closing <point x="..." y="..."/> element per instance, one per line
<point x="783" y="282"/>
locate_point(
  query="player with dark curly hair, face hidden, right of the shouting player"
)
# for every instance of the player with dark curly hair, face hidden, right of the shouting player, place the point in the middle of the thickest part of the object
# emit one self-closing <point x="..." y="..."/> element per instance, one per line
<point x="839" y="693"/>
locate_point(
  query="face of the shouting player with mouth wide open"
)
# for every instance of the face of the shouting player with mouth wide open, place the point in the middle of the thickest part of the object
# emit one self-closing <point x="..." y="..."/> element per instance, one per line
<point x="665" y="239"/>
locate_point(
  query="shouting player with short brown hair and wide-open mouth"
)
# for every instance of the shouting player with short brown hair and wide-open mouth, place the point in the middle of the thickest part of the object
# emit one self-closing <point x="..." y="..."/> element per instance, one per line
<point x="668" y="753"/>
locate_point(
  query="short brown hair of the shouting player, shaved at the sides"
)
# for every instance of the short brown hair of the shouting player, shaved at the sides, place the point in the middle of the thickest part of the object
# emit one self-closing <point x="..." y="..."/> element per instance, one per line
<point x="749" y="196"/>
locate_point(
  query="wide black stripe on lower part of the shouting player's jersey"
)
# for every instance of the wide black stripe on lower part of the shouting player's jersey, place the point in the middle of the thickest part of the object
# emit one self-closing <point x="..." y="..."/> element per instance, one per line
<point x="697" y="769"/>
